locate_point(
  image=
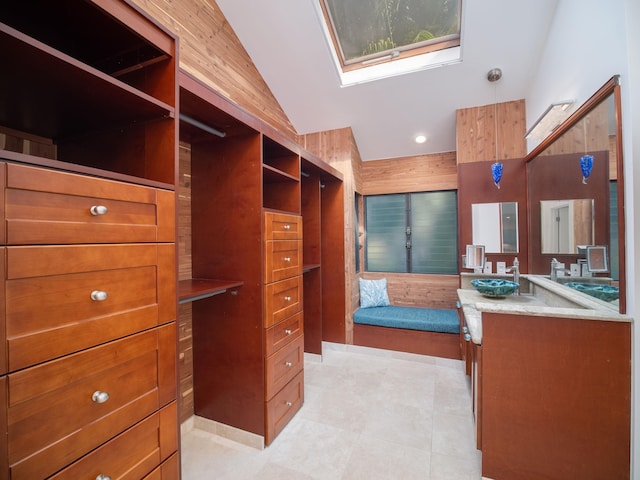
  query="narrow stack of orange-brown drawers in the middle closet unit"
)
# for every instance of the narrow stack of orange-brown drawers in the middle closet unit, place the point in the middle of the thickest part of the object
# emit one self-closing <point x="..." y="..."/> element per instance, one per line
<point x="283" y="320"/>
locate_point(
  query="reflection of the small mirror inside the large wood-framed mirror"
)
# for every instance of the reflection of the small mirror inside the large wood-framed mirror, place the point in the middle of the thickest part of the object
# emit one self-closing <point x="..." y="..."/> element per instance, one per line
<point x="565" y="224"/>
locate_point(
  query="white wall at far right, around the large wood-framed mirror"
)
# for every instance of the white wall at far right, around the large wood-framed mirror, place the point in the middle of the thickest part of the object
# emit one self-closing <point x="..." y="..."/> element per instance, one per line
<point x="589" y="42"/>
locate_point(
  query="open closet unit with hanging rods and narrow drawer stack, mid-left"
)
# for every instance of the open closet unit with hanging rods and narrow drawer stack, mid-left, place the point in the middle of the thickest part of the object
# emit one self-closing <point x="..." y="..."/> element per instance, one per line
<point x="248" y="244"/>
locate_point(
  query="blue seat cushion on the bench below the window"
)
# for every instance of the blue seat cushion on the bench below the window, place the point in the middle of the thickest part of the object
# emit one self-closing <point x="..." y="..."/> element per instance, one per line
<point x="412" y="318"/>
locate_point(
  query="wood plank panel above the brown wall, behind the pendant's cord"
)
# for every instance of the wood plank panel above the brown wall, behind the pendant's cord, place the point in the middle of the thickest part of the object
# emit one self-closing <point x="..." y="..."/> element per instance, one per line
<point x="491" y="132"/>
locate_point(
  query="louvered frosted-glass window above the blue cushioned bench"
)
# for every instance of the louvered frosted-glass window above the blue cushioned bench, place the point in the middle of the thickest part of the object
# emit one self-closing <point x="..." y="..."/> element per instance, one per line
<point x="412" y="233"/>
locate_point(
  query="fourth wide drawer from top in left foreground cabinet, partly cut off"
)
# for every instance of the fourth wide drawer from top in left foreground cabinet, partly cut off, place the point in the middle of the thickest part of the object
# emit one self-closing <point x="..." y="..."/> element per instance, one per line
<point x="129" y="456"/>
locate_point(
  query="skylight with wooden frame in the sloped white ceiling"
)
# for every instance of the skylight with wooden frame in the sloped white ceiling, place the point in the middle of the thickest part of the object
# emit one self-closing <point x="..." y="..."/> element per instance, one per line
<point x="398" y="35"/>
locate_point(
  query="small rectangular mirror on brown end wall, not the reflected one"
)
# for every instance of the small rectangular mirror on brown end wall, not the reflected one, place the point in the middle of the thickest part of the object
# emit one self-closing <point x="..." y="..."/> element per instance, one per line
<point x="495" y="225"/>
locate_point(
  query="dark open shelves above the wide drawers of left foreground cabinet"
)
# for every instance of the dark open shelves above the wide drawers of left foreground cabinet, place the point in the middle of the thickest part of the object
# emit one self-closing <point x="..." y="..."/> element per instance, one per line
<point x="96" y="79"/>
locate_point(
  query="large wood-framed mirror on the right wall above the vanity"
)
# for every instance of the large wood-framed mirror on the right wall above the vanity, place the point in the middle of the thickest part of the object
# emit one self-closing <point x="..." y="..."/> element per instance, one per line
<point x="575" y="191"/>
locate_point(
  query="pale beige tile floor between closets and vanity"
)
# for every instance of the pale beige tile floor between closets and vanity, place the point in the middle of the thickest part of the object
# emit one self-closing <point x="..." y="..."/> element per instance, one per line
<point x="368" y="414"/>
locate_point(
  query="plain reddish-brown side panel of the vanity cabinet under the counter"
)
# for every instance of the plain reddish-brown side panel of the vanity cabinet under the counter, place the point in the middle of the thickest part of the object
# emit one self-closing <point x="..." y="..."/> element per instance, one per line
<point x="554" y="397"/>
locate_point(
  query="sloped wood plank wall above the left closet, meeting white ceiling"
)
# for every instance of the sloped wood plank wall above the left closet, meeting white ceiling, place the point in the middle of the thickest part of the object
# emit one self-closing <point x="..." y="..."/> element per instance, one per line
<point x="211" y="52"/>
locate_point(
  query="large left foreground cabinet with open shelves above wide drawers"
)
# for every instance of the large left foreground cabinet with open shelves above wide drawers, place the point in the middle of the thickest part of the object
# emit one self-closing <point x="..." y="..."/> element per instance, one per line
<point x="87" y="335"/>
